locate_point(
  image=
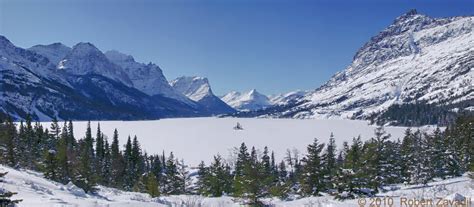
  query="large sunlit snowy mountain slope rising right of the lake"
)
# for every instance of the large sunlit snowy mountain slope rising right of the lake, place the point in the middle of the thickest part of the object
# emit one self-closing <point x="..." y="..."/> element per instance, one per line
<point x="416" y="58"/>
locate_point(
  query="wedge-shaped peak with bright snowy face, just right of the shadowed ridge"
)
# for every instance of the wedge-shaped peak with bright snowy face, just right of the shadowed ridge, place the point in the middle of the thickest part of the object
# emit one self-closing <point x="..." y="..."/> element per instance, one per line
<point x="199" y="90"/>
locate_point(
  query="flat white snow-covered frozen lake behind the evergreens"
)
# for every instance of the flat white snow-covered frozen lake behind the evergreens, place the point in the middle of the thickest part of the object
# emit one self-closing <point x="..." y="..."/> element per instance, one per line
<point x="197" y="139"/>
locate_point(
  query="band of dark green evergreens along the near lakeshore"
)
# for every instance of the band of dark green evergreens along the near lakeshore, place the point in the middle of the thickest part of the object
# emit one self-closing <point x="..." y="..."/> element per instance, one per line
<point x="359" y="168"/>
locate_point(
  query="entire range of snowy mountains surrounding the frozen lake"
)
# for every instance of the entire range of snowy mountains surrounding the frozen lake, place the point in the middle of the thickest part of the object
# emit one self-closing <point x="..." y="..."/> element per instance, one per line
<point x="415" y="59"/>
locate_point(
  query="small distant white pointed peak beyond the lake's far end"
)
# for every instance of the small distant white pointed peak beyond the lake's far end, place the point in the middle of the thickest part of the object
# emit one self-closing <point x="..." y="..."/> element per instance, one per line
<point x="248" y="101"/>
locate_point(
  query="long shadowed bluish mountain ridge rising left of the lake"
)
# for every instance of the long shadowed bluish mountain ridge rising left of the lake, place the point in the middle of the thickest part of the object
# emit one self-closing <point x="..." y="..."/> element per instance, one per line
<point x="83" y="85"/>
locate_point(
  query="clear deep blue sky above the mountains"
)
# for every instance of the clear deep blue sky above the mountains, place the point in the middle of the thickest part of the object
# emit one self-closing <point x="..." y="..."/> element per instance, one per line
<point x="273" y="46"/>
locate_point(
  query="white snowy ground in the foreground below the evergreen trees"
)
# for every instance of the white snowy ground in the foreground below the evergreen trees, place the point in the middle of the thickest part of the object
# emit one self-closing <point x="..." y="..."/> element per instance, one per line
<point x="38" y="191"/>
